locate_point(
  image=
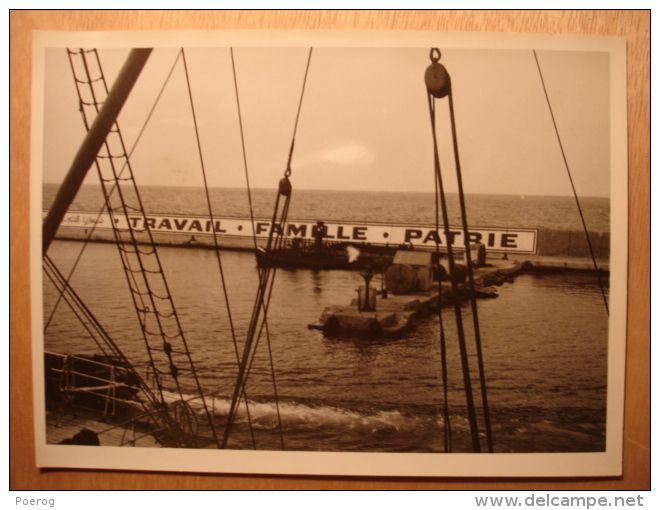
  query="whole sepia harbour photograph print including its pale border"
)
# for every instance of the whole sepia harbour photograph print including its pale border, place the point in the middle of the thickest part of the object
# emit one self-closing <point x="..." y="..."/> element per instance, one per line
<point x="329" y="253"/>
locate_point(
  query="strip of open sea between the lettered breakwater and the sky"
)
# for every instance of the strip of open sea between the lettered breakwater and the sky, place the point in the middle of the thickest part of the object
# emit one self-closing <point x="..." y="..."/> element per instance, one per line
<point x="495" y="211"/>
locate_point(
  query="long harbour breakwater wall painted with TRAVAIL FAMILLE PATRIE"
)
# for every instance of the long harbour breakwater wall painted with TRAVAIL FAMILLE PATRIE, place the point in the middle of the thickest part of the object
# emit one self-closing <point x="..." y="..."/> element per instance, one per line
<point x="237" y="234"/>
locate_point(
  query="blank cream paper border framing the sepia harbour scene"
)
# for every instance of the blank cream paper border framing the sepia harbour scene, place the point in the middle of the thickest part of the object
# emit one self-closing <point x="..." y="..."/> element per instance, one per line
<point x="607" y="463"/>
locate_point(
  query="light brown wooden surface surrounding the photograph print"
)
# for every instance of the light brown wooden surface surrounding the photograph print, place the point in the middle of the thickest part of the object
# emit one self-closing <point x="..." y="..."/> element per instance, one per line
<point x="634" y="25"/>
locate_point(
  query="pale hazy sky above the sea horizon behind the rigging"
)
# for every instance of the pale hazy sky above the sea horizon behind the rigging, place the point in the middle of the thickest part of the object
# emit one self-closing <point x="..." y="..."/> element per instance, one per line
<point x="364" y="121"/>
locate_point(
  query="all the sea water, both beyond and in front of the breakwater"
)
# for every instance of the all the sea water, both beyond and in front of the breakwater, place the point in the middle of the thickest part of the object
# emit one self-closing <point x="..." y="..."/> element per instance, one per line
<point x="544" y="339"/>
